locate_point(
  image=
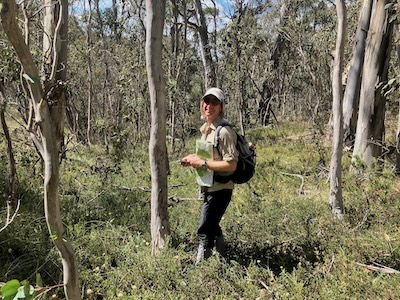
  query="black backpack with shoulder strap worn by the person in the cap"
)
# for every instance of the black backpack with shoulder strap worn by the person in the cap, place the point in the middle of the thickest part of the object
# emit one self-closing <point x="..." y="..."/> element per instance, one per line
<point x="247" y="159"/>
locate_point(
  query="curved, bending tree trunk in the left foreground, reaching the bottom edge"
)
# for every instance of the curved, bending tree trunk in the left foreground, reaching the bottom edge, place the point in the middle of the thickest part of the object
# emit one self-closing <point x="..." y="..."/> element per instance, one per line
<point x="47" y="141"/>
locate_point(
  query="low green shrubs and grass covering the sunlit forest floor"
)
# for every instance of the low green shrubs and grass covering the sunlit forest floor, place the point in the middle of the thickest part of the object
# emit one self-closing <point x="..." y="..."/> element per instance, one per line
<point x="282" y="241"/>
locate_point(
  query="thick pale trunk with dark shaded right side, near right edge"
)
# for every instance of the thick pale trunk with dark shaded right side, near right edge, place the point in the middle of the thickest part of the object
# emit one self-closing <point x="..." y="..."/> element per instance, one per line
<point x="370" y="124"/>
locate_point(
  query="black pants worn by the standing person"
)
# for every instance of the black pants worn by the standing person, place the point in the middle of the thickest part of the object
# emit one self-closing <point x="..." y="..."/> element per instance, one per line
<point x="214" y="207"/>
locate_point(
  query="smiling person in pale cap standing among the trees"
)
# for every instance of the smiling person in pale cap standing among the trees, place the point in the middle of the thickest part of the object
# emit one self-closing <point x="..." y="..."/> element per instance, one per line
<point x="218" y="196"/>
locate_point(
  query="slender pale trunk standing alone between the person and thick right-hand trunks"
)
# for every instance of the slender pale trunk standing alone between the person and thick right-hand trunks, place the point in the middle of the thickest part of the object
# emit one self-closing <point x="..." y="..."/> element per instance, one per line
<point x="335" y="175"/>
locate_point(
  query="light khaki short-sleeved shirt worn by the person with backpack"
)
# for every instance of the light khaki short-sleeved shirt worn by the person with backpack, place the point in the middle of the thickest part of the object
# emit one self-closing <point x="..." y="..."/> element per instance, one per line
<point x="227" y="147"/>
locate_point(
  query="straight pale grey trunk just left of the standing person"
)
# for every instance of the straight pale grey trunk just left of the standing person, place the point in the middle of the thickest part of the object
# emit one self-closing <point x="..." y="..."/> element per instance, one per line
<point x="160" y="229"/>
